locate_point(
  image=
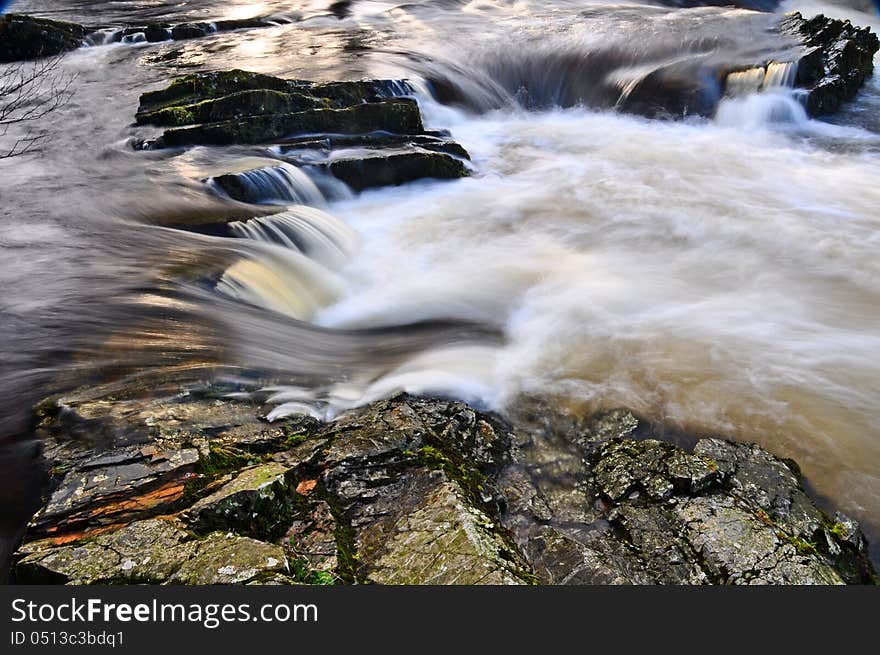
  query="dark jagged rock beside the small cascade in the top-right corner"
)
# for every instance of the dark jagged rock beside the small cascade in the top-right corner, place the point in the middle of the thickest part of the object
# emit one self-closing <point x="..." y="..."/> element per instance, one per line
<point x="837" y="59"/>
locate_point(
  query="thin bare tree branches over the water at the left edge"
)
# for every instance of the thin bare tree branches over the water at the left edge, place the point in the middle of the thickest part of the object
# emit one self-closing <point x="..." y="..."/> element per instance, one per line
<point x="28" y="92"/>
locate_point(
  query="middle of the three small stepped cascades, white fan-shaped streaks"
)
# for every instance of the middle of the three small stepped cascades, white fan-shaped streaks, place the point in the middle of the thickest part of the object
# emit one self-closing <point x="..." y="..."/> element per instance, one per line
<point x="312" y="232"/>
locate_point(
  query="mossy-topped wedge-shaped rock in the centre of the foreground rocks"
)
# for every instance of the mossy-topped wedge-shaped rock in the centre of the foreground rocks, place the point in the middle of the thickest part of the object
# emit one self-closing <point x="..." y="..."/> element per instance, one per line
<point x="411" y="485"/>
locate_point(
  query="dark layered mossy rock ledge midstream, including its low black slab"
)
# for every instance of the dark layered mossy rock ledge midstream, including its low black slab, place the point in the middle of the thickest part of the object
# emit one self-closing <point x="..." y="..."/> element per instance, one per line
<point x="367" y="133"/>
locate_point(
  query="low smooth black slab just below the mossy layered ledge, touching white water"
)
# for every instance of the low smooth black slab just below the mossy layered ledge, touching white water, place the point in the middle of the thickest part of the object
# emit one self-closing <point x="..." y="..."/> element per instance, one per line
<point x="381" y="169"/>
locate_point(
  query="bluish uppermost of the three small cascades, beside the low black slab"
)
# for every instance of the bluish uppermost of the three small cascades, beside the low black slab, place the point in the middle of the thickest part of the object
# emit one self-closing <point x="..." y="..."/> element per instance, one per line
<point x="279" y="184"/>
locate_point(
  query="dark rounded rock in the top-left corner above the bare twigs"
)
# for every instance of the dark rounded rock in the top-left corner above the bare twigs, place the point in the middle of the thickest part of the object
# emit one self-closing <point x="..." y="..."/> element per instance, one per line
<point x="25" y="37"/>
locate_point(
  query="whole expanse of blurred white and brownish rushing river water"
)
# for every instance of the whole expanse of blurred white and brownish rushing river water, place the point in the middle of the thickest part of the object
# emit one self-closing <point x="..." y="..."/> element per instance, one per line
<point x="719" y="274"/>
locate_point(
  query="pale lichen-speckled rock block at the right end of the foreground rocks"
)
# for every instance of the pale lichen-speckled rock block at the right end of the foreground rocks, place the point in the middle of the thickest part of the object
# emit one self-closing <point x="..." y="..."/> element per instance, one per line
<point x="728" y="513"/>
